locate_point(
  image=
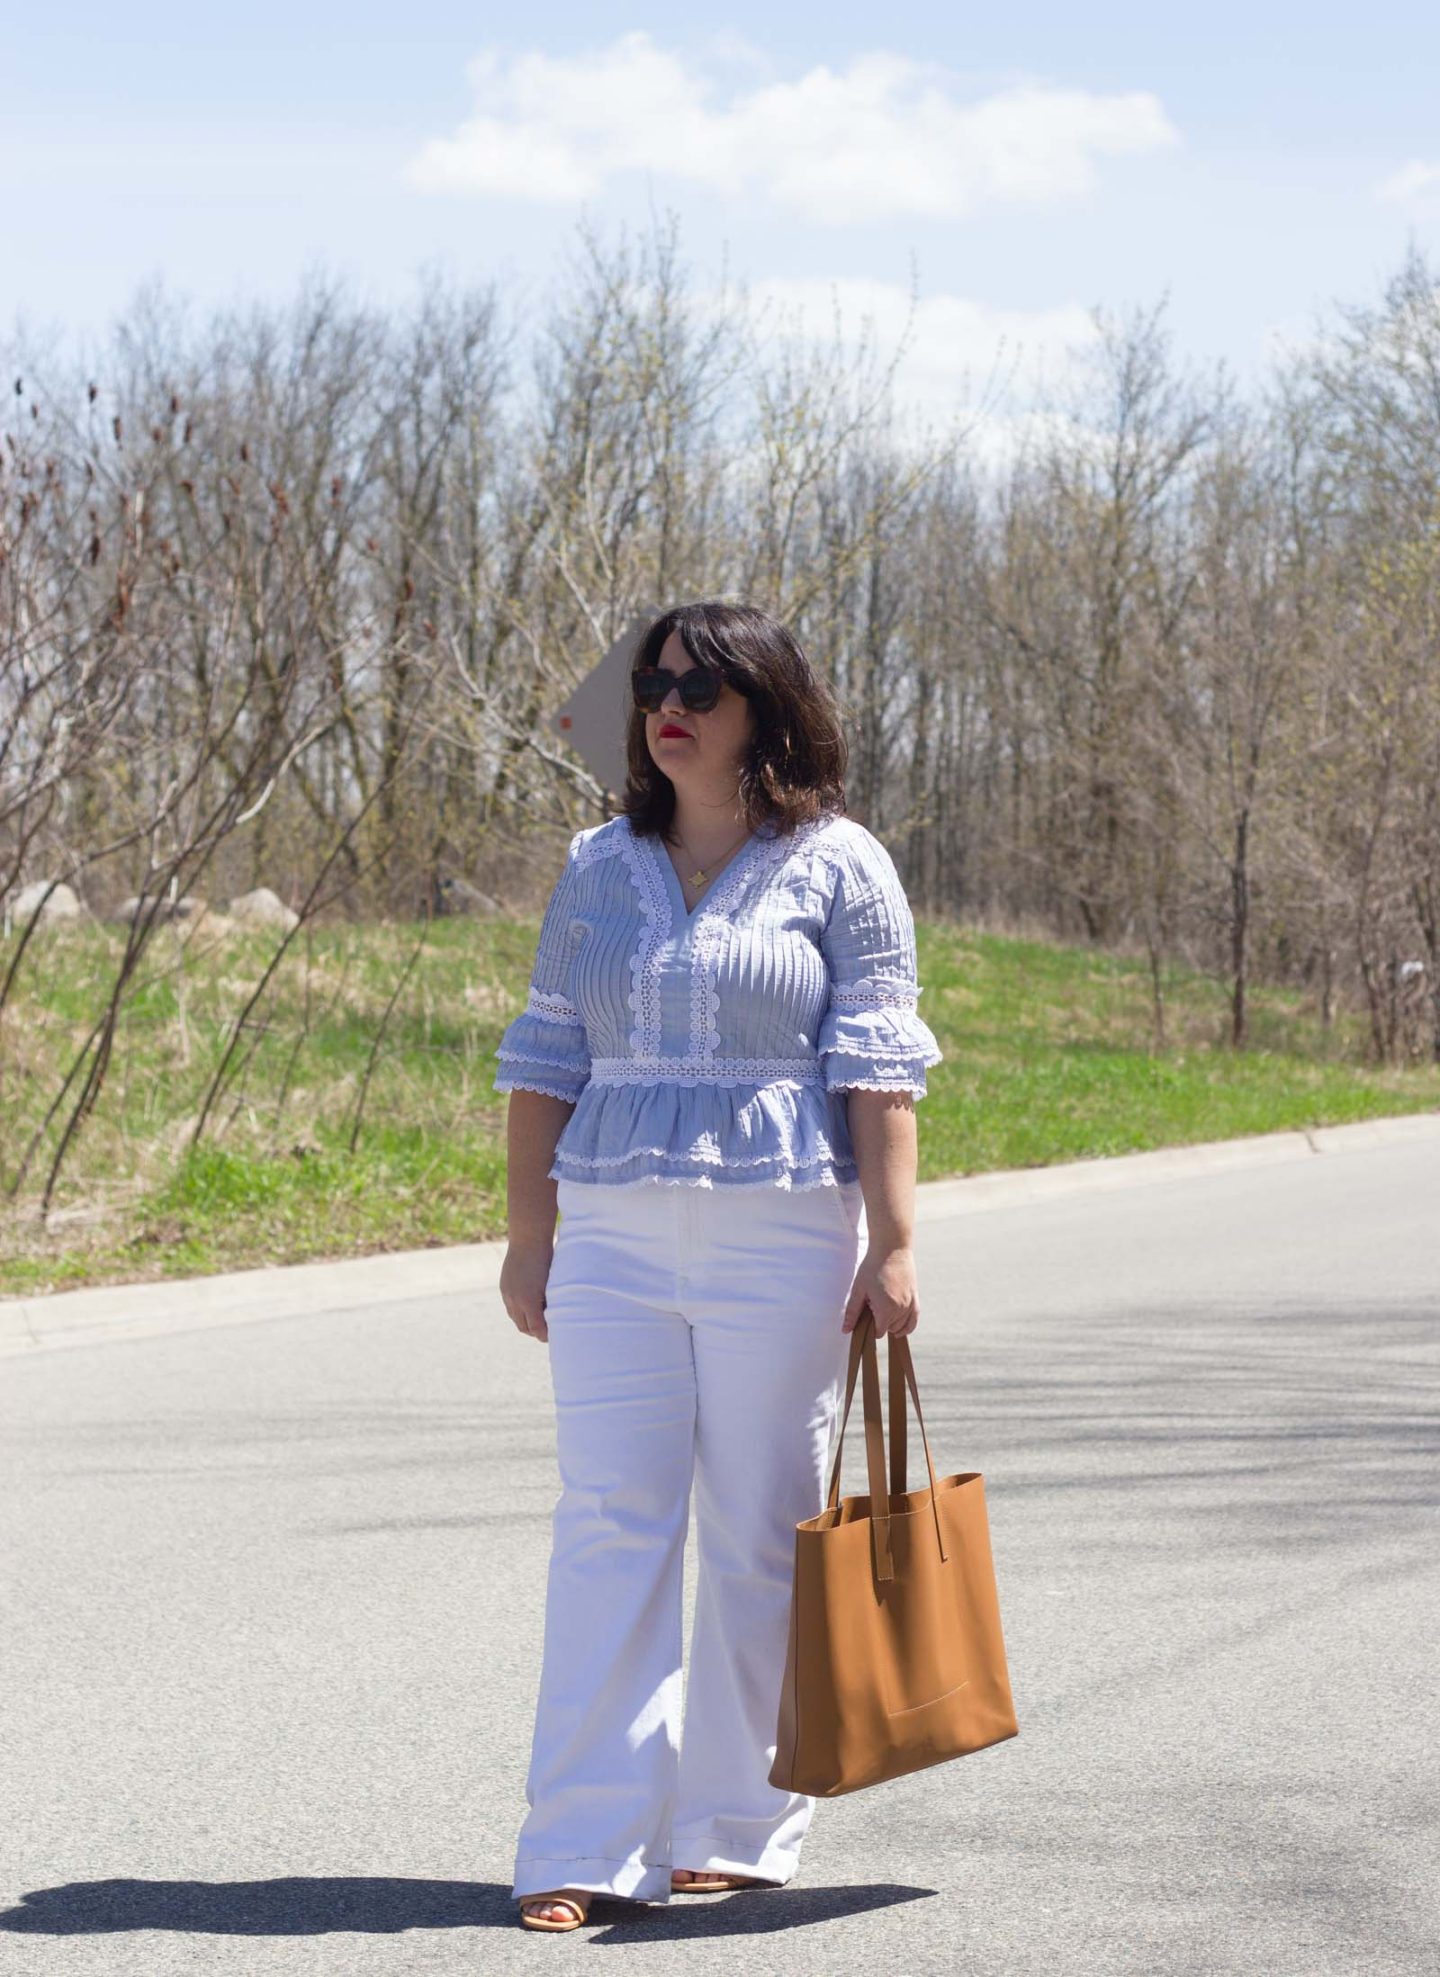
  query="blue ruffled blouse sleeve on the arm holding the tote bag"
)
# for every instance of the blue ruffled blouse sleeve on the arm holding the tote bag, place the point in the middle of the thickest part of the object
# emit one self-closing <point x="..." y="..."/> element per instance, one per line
<point x="871" y="1035"/>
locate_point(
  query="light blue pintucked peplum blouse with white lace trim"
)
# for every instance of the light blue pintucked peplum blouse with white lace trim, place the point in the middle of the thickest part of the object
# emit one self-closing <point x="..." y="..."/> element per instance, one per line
<point x="717" y="1047"/>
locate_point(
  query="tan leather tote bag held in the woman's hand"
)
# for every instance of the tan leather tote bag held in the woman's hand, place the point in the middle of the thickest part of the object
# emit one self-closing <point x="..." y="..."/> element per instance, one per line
<point x="895" y="1654"/>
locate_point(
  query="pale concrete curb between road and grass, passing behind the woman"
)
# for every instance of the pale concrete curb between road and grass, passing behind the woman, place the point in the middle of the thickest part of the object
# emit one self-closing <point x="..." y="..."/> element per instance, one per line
<point x="244" y="1296"/>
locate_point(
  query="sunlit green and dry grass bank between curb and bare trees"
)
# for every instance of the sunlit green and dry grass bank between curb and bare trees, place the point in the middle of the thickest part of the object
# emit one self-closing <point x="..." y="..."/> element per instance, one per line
<point x="1047" y="1059"/>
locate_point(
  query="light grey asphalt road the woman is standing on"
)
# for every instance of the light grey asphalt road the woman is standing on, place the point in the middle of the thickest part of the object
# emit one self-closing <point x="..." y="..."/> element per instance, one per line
<point x="274" y="1600"/>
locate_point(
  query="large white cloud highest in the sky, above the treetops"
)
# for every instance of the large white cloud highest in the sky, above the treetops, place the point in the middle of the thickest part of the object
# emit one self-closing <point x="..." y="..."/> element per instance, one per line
<point x="881" y="137"/>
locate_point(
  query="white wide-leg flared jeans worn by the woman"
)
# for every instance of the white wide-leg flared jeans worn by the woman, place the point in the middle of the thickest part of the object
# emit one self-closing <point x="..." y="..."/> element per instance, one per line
<point x="695" y="1341"/>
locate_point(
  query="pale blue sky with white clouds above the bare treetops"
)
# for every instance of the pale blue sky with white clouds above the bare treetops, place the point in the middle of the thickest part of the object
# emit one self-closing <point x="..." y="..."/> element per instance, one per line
<point x="1255" y="163"/>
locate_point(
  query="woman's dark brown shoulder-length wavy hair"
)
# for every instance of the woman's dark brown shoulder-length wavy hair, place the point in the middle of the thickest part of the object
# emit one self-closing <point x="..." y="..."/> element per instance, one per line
<point x="794" y="770"/>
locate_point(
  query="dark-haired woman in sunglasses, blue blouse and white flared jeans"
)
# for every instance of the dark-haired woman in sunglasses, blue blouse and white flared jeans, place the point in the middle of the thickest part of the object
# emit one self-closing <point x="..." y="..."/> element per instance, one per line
<point x="713" y="1082"/>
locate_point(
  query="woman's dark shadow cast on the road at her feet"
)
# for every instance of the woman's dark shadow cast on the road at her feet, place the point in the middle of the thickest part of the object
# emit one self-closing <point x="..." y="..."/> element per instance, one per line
<point x="387" y="1905"/>
